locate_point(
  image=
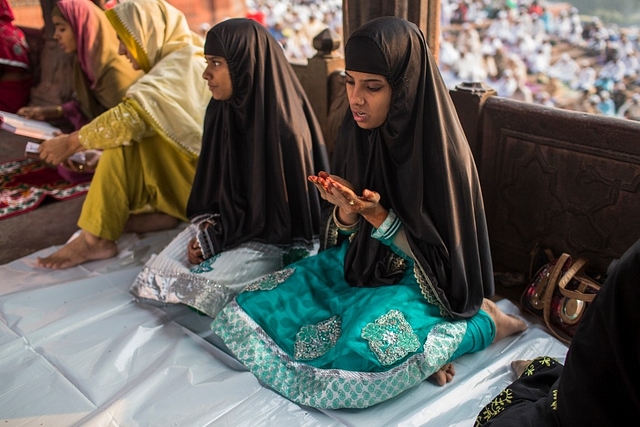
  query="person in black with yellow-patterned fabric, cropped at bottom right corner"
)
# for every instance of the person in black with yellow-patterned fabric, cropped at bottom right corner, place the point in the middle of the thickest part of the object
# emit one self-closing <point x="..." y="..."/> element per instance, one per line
<point x="597" y="386"/>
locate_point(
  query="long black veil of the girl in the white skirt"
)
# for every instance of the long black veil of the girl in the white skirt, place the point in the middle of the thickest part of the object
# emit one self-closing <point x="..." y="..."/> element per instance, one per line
<point x="258" y="147"/>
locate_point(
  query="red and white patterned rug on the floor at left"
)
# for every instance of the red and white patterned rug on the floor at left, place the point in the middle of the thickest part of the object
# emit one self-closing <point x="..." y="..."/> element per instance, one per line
<point x="26" y="183"/>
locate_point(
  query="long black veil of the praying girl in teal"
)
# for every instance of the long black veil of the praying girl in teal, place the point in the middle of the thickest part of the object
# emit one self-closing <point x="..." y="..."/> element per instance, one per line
<point x="420" y="162"/>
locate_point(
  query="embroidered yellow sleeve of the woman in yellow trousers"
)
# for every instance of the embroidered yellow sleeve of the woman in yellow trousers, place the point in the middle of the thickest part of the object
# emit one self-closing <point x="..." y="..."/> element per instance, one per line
<point x="120" y="125"/>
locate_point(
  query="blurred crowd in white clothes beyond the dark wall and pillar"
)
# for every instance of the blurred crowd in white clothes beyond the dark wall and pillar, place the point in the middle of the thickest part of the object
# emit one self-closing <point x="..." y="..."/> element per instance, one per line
<point x="530" y="50"/>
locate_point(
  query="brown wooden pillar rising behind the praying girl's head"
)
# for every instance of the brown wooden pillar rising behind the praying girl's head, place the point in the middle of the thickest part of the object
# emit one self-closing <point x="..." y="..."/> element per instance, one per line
<point x="424" y="13"/>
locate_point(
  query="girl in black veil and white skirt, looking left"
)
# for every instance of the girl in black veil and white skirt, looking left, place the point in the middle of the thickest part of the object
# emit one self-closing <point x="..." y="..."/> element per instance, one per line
<point x="251" y="207"/>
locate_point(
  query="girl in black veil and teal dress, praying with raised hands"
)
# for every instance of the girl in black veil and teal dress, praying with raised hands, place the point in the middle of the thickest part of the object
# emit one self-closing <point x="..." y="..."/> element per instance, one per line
<point x="399" y="289"/>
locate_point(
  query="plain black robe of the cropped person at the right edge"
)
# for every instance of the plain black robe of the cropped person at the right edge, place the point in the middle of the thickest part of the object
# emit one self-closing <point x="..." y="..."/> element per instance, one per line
<point x="600" y="383"/>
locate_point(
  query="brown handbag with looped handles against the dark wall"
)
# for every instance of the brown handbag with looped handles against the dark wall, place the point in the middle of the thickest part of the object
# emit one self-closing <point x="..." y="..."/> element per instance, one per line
<point x="559" y="294"/>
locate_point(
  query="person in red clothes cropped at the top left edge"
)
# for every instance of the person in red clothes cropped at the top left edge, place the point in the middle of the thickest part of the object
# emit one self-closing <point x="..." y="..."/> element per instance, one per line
<point x="15" y="65"/>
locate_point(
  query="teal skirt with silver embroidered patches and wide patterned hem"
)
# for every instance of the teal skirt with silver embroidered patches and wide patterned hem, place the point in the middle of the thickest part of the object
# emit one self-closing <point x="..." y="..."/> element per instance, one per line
<point x="306" y="333"/>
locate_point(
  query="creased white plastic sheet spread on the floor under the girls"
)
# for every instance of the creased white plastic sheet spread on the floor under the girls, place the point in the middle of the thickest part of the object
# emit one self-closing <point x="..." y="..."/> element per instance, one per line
<point x="77" y="349"/>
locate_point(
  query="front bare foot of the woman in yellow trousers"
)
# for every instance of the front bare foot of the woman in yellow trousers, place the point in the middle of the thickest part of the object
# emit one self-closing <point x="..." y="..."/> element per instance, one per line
<point x="85" y="247"/>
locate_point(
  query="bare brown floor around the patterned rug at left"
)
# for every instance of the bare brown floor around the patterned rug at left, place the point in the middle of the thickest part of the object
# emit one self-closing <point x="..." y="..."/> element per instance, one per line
<point x="52" y="223"/>
